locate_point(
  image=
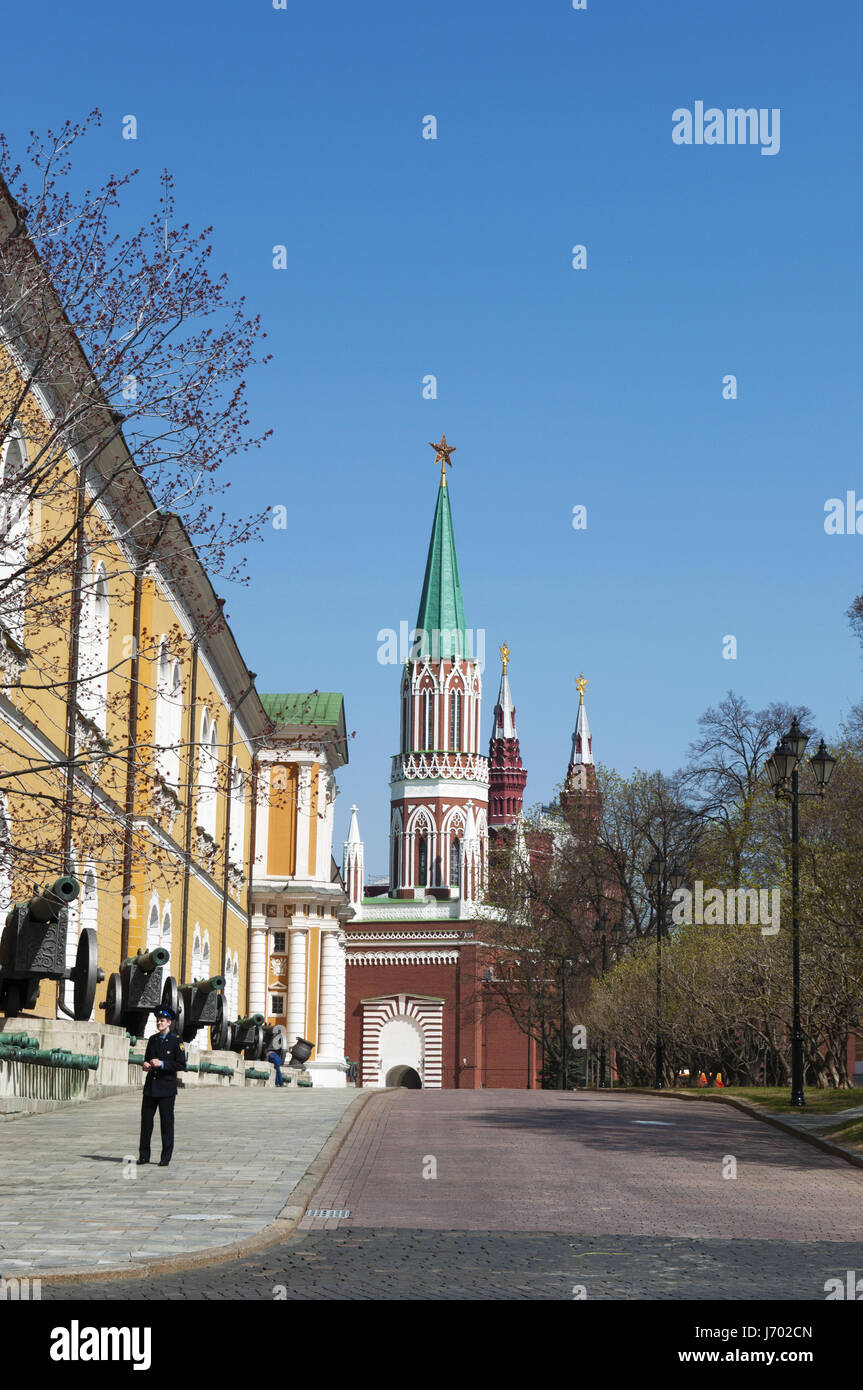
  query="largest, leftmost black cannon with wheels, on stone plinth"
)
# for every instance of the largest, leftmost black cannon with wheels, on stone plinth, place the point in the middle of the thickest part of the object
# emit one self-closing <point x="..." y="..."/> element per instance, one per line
<point x="33" y="949"/>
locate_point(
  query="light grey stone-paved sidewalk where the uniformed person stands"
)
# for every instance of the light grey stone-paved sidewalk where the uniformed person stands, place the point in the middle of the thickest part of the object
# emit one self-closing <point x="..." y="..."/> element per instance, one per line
<point x="70" y="1202"/>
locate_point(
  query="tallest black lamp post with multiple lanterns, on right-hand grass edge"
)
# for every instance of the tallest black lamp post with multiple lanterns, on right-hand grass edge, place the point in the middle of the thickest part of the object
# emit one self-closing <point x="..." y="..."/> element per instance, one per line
<point x="783" y="771"/>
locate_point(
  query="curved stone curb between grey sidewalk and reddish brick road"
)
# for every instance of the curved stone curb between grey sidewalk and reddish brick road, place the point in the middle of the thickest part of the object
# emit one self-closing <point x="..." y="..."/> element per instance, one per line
<point x="273" y="1235"/>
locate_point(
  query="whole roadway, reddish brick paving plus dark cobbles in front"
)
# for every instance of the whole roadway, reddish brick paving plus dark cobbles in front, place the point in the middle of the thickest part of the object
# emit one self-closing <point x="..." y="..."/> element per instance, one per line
<point x="537" y="1195"/>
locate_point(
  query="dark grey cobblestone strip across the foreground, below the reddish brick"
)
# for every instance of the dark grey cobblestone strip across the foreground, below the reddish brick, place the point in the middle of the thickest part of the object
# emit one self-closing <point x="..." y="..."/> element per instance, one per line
<point x="358" y="1264"/>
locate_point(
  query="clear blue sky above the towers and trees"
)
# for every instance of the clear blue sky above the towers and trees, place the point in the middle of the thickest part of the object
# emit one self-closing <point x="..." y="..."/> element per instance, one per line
<point x="559" y="387"/>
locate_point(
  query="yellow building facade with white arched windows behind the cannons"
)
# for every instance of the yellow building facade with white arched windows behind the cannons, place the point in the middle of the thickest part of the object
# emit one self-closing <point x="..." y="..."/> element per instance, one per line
<point x="131" y="730"/>
